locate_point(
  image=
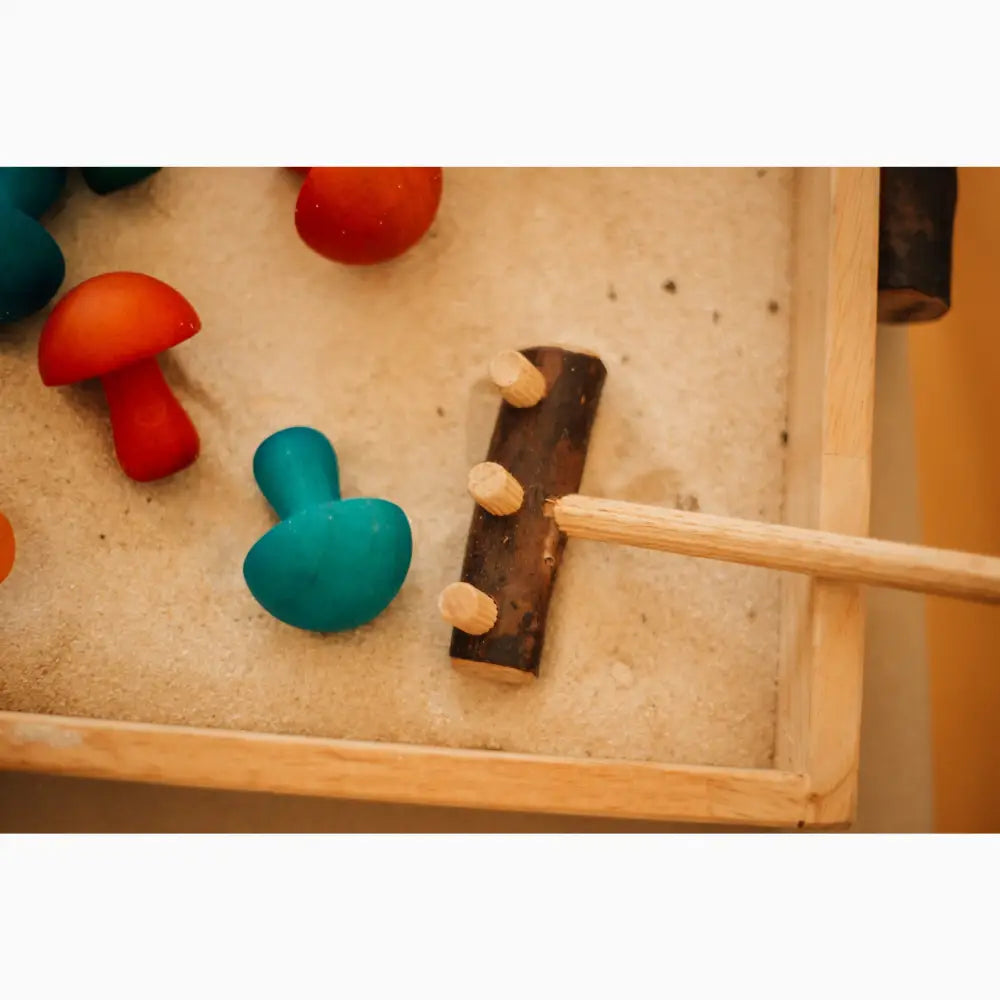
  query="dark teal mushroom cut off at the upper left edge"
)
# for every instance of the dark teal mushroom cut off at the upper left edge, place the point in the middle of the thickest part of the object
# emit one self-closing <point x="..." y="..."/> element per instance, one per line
<point x="31" y="264"/>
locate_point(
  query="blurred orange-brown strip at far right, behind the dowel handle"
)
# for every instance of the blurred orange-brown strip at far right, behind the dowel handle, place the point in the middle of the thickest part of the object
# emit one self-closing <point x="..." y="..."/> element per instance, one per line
<point x="956" y="372"/>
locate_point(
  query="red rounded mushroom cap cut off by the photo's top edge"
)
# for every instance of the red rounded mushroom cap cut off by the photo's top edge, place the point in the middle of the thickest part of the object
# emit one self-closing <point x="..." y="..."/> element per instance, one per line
<point x="366" y="215"/>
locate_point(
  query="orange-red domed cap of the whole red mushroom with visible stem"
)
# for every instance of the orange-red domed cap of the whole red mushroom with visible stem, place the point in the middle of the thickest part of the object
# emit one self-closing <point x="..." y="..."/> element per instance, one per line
<point x="111" y="321"/>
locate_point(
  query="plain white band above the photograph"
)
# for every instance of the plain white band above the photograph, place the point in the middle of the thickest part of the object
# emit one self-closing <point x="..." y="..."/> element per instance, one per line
<point x="514" y="83"/>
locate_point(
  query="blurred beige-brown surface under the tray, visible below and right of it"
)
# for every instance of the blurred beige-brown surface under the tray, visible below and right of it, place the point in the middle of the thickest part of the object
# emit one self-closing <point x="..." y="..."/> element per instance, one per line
<point x="896" y="782"/>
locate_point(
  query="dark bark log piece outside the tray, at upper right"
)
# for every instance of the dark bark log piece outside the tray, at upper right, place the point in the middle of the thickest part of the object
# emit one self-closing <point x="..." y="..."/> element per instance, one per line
<point x="916" y="224"/>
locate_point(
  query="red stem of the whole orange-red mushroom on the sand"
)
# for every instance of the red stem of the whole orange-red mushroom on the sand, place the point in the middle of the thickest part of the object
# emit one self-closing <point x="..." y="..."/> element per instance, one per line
<point x="154" y="436"/>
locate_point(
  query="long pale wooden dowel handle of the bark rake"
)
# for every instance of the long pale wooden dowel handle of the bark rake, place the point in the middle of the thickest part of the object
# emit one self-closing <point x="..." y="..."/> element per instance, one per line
<point x="777" y="546"/>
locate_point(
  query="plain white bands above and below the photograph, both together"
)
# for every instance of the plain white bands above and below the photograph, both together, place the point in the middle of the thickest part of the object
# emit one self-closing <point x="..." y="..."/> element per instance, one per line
<point x="758" y="83"/>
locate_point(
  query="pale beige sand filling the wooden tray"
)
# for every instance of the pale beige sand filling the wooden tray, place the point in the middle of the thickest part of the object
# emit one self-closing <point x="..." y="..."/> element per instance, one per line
<point x="128" y="602"/>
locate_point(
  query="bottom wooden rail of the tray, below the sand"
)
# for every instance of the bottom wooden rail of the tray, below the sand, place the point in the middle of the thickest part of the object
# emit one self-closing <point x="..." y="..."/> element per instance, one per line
<point x="393" y="772"/>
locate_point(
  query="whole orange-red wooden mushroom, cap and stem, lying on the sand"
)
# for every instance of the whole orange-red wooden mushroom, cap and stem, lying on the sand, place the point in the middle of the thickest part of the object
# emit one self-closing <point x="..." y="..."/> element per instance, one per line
<point x="112" y="327"/>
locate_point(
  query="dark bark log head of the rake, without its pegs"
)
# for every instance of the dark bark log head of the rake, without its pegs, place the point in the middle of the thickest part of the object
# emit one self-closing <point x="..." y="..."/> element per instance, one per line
<point x="515" y="558"/>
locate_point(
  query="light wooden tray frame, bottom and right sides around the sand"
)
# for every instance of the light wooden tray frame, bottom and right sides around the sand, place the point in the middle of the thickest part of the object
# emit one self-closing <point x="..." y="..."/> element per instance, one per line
<point x="814" y="779"/>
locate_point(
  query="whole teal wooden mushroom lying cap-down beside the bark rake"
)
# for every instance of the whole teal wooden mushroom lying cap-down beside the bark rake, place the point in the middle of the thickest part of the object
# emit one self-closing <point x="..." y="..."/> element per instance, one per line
<point x="330" y="564"/>
